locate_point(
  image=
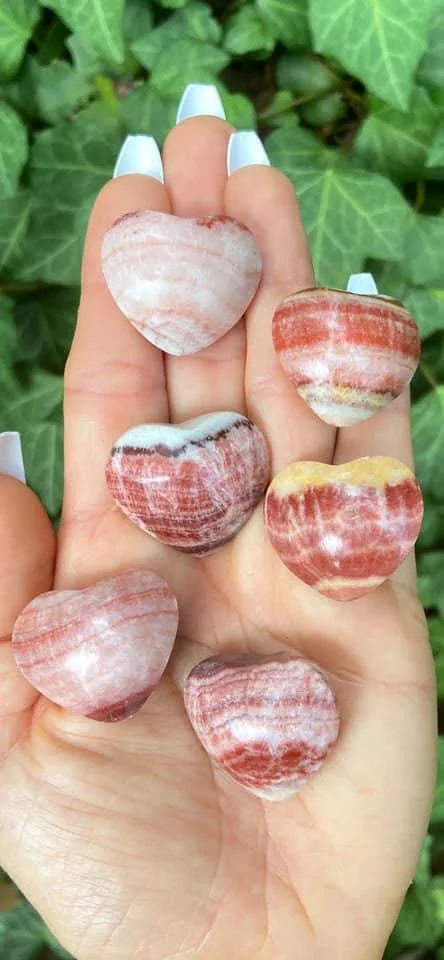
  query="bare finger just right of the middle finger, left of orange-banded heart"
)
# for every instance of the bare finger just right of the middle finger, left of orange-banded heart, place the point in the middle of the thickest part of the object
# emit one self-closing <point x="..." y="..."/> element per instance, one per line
<point x="263" y="199"/>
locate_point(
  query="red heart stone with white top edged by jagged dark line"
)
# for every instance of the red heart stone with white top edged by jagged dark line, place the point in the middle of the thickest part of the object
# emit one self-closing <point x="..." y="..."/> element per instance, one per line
<point x="191" y="485"/>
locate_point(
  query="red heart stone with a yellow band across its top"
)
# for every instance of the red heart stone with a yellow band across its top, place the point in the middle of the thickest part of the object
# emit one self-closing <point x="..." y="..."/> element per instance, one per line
<point x="344" y="529"/>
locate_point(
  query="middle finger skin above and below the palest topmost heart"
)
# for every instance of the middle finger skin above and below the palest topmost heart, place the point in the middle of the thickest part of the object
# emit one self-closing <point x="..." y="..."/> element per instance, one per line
<point x="195" y="174"/>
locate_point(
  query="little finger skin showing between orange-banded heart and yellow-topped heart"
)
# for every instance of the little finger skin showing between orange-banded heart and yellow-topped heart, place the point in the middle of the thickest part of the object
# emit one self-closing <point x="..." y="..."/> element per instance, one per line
<point x="388" y="434"/>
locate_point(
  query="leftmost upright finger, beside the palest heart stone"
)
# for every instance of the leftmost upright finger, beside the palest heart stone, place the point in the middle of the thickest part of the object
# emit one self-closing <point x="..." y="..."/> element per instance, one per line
<point x="114" y="378"/>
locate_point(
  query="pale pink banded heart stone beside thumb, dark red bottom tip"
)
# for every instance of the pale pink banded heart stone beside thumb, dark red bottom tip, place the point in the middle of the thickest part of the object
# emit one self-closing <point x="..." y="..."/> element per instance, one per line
<point x="100" y="651"/>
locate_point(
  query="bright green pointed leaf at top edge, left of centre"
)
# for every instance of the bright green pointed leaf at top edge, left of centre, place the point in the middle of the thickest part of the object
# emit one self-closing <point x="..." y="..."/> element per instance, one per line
<point x="99" y="23"/>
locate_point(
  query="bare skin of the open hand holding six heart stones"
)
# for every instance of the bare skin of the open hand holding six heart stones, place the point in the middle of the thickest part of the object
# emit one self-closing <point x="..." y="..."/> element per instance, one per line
<point x="128" y="840"/>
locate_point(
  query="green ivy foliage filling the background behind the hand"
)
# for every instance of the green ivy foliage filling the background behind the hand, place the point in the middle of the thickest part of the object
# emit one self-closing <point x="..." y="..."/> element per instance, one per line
<point x="349" y="96"/>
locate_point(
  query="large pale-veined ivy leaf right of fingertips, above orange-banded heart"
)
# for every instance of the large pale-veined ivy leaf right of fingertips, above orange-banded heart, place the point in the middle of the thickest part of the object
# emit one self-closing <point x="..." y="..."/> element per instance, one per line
<point x="348" y="214"/>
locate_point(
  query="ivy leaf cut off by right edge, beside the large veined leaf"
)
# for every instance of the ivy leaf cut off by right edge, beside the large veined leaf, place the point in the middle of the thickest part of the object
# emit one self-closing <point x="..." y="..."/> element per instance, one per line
<point x="424" y="243"/>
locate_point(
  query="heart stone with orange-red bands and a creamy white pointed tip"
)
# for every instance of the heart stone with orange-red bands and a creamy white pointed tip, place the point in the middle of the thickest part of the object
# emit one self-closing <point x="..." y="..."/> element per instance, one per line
<point x="347" y="354"/>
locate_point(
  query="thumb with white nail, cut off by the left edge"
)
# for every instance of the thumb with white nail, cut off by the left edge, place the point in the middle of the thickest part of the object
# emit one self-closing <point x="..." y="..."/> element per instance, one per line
<point x="27" y="554"/>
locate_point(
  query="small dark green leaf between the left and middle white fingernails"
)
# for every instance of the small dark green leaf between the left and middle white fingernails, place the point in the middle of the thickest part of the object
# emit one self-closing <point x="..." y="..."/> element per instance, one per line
<point x="145" y="110"/>
